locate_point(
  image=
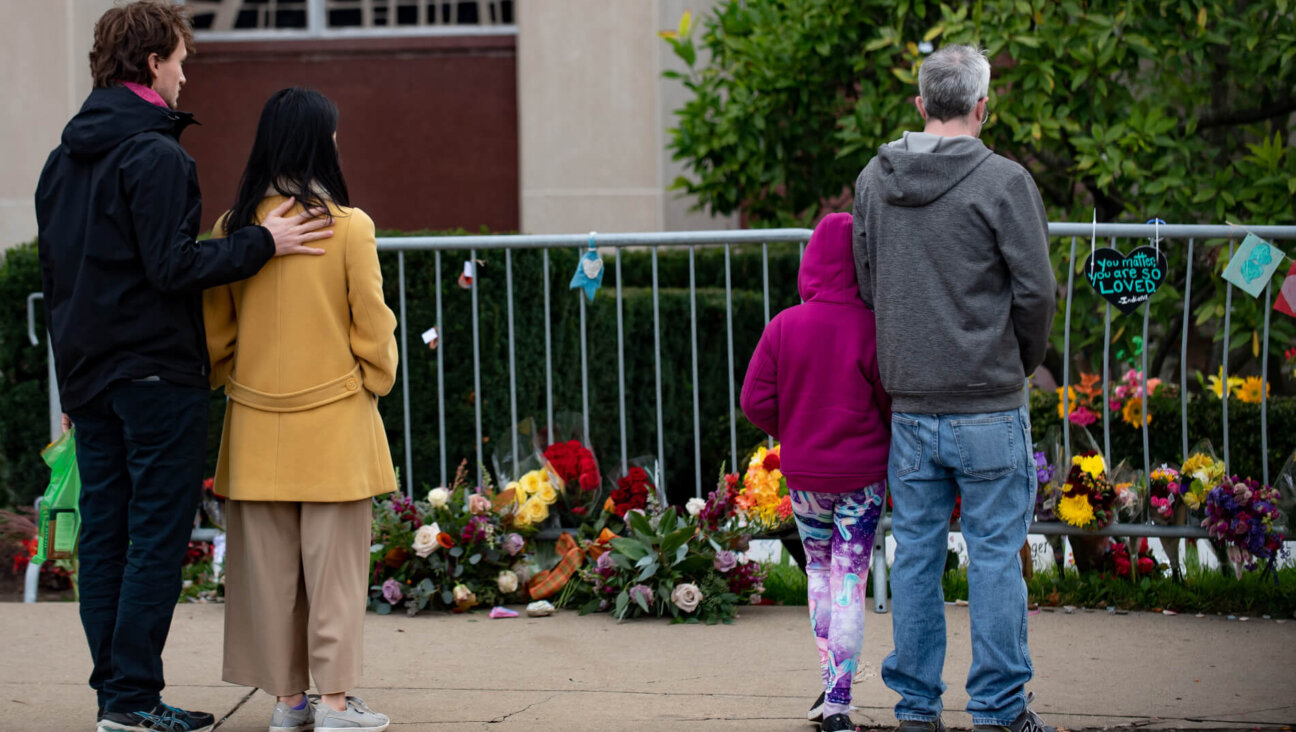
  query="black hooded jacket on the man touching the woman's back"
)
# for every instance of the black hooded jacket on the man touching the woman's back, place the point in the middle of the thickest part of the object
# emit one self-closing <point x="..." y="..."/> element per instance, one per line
<point x="122" y="270"/>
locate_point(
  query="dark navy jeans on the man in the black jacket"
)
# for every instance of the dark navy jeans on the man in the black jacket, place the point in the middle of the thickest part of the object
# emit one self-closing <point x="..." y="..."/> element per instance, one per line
<point x="141" y="449"/>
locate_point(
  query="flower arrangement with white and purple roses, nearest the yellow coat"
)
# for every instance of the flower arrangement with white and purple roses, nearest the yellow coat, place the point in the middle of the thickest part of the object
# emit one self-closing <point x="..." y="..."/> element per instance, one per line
<point x="454" y="551"/>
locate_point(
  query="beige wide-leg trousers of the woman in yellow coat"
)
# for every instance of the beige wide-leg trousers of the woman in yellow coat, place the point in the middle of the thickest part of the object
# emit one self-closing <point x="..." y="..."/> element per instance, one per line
<point x="296" y="593"/>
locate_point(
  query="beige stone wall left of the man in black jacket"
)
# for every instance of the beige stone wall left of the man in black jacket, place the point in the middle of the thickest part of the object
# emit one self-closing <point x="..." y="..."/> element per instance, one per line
<point x="43" y="51"/>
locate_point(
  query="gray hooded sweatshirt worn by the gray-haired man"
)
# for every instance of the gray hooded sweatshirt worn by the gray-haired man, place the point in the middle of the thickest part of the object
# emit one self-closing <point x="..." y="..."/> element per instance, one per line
<point x="952" y="255"/>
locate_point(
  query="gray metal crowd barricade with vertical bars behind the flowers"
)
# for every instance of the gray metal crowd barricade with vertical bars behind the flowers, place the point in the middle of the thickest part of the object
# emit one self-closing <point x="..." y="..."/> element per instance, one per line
<point x="729" y="239"/>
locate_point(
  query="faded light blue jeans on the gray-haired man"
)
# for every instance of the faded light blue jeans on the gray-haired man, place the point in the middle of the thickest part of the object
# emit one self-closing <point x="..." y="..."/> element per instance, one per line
<point x="987" y="459"/>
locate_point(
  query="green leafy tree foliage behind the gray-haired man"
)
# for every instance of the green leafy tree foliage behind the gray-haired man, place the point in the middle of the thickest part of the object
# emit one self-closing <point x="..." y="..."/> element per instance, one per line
<point x="1159" y="109"/>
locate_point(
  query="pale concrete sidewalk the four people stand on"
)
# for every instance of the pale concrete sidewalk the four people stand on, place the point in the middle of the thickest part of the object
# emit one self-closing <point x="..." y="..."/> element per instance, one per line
<point x="439" y="673"/>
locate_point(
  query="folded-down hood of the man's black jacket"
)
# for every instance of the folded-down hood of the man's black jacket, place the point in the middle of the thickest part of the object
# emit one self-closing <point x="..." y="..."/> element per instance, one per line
<point x="113" y="116"/>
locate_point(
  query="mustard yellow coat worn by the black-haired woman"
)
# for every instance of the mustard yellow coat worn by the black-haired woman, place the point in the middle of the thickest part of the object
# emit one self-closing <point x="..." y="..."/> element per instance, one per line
<point x="304" y="350"/>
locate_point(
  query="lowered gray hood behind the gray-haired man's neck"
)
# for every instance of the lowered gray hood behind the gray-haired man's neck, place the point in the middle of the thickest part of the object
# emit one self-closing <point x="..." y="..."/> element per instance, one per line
<point x="921" y="168"/>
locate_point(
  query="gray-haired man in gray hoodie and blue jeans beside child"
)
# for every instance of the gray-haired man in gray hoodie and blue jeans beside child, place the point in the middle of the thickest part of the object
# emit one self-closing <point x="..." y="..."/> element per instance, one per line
<point x="952" y="253"/>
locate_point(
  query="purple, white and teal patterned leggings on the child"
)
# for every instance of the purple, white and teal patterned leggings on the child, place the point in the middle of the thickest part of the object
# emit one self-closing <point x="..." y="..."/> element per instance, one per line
<point x="838" y="533"/>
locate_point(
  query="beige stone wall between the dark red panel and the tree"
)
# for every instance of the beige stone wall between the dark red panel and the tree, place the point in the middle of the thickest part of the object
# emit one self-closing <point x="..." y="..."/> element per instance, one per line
<point x="593" y="117"/>
